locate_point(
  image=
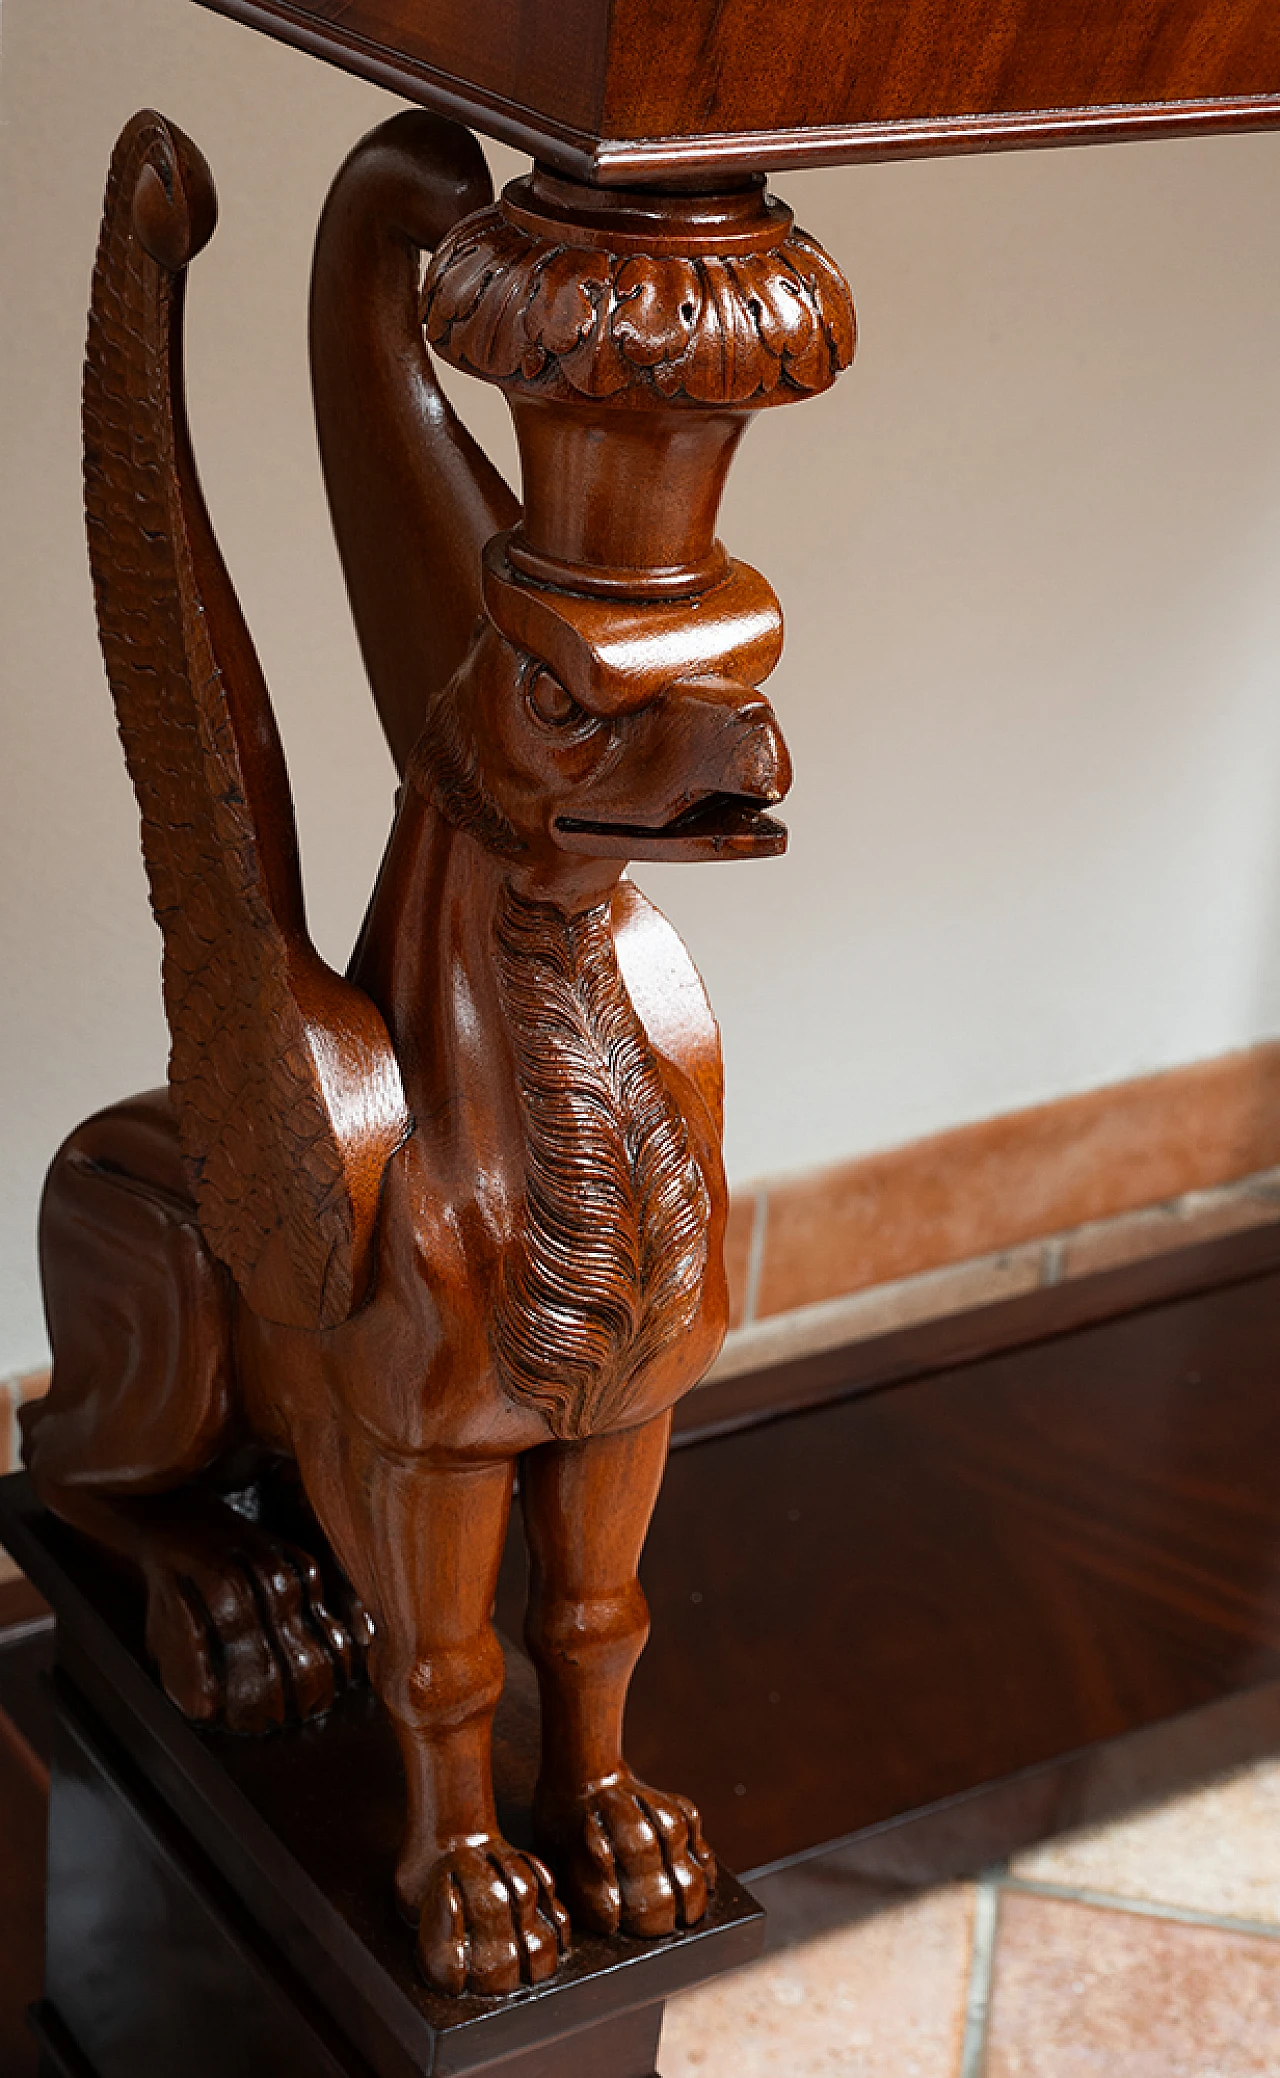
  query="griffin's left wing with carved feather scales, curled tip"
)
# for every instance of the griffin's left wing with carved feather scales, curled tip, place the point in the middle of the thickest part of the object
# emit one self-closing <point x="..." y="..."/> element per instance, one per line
<point x="286" y="1086"/>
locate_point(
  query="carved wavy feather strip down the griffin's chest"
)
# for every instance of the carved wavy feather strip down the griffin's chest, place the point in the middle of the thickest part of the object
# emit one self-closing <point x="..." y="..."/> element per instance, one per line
<point x="608" y="1264"/>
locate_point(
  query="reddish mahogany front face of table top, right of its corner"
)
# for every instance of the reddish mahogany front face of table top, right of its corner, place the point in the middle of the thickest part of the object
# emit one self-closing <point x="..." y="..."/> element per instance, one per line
<point x="870" y="65"/>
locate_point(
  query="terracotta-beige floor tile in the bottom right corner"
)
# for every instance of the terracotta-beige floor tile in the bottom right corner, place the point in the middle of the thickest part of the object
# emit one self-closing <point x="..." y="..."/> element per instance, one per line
<point x="1090" y="1994"/>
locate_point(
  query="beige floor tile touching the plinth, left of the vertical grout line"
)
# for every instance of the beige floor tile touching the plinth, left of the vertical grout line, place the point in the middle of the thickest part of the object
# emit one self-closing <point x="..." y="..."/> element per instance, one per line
<point x="876" y="2000"/>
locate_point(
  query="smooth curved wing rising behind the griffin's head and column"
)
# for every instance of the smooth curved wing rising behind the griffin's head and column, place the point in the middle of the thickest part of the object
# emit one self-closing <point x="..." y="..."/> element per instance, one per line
<point x="412" y="496"/>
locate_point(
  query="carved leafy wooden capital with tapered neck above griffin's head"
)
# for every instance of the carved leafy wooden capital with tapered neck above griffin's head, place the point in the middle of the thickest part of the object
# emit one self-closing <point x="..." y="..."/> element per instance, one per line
<point x="635" y="336"/>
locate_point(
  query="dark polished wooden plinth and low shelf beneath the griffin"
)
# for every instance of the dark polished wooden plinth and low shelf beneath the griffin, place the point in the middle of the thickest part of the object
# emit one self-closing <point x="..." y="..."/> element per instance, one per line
<point x="928" y="1603"/>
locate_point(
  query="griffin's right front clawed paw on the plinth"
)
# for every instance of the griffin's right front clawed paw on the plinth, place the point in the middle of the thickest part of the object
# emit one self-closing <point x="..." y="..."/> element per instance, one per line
<point x="629" y="1859"/>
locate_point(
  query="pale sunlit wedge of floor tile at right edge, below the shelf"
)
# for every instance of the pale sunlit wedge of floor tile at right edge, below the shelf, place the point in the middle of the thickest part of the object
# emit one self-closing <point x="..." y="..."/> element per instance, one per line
<point x="1217" y="1850"/>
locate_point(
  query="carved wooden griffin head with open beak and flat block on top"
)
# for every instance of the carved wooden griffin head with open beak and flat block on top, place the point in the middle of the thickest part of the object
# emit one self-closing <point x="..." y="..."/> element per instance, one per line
<point x="583" y="728"/>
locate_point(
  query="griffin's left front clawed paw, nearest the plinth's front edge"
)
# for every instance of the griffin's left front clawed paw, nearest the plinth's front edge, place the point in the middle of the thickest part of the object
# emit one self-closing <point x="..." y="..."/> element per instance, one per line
<point x="491" y="1921"/>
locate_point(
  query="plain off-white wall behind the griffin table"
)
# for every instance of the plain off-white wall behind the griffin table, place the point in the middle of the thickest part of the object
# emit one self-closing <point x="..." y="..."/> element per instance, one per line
<point x="1030" y="554"/>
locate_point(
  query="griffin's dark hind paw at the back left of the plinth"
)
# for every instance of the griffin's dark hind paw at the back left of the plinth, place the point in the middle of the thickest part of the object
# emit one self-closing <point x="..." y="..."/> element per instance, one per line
<point x="242" y="1634"/>
